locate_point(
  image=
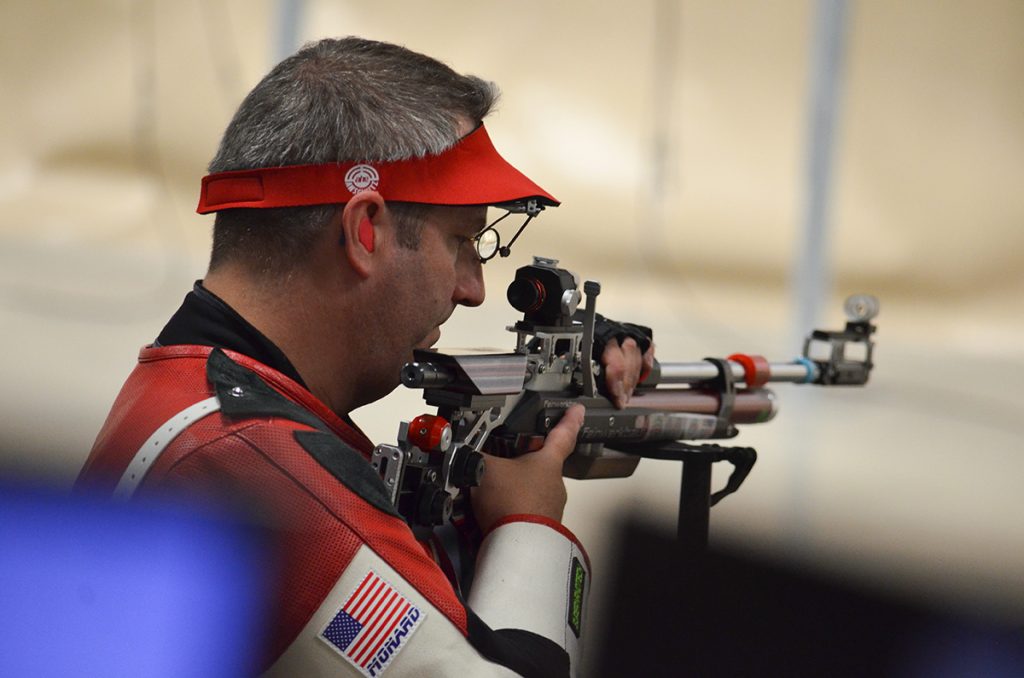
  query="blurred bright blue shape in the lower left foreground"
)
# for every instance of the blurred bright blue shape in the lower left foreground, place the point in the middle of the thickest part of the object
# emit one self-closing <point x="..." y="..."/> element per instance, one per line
<point x="148" y="589"/>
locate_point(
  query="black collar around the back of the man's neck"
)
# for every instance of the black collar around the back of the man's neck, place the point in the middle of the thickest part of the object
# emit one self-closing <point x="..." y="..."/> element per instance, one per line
<point x="206" y="320"/>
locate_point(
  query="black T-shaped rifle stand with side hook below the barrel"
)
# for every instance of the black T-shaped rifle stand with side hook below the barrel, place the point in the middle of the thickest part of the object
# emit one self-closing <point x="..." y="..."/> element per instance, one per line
<point x="696" y="497"/>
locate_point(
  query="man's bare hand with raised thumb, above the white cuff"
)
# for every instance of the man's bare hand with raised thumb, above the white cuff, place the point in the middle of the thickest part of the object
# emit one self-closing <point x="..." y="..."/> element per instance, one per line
<point x="531" y="484"/>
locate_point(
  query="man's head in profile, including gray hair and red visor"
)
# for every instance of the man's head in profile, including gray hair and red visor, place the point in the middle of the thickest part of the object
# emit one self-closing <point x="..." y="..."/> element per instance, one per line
<point x="349" y="190"/>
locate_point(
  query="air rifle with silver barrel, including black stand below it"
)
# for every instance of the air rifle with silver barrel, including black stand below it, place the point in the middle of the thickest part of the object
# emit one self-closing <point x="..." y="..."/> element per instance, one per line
<point x="506" y="404"/>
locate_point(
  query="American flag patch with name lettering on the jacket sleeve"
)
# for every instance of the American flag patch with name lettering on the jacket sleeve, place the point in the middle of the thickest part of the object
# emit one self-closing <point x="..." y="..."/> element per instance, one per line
<point x="373" y="626"/>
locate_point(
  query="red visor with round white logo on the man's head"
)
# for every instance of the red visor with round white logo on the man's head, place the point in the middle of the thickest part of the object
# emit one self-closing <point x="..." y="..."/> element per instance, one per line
<point x="470" y="174"/>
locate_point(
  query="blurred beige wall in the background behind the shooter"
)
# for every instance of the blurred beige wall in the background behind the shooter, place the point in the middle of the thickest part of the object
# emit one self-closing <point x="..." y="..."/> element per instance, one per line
<point x="676" y="136"/>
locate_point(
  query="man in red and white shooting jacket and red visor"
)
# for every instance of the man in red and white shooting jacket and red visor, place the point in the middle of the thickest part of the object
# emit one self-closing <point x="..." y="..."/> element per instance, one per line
<point x="352" y="190"/>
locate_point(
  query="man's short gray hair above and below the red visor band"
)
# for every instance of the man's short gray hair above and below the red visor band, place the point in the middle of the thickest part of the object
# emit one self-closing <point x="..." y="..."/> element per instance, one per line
<point x="337" y="101"/>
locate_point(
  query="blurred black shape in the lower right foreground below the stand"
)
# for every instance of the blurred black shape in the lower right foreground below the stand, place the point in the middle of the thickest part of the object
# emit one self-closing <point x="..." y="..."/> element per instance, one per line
<point x="726" y="613"/>
